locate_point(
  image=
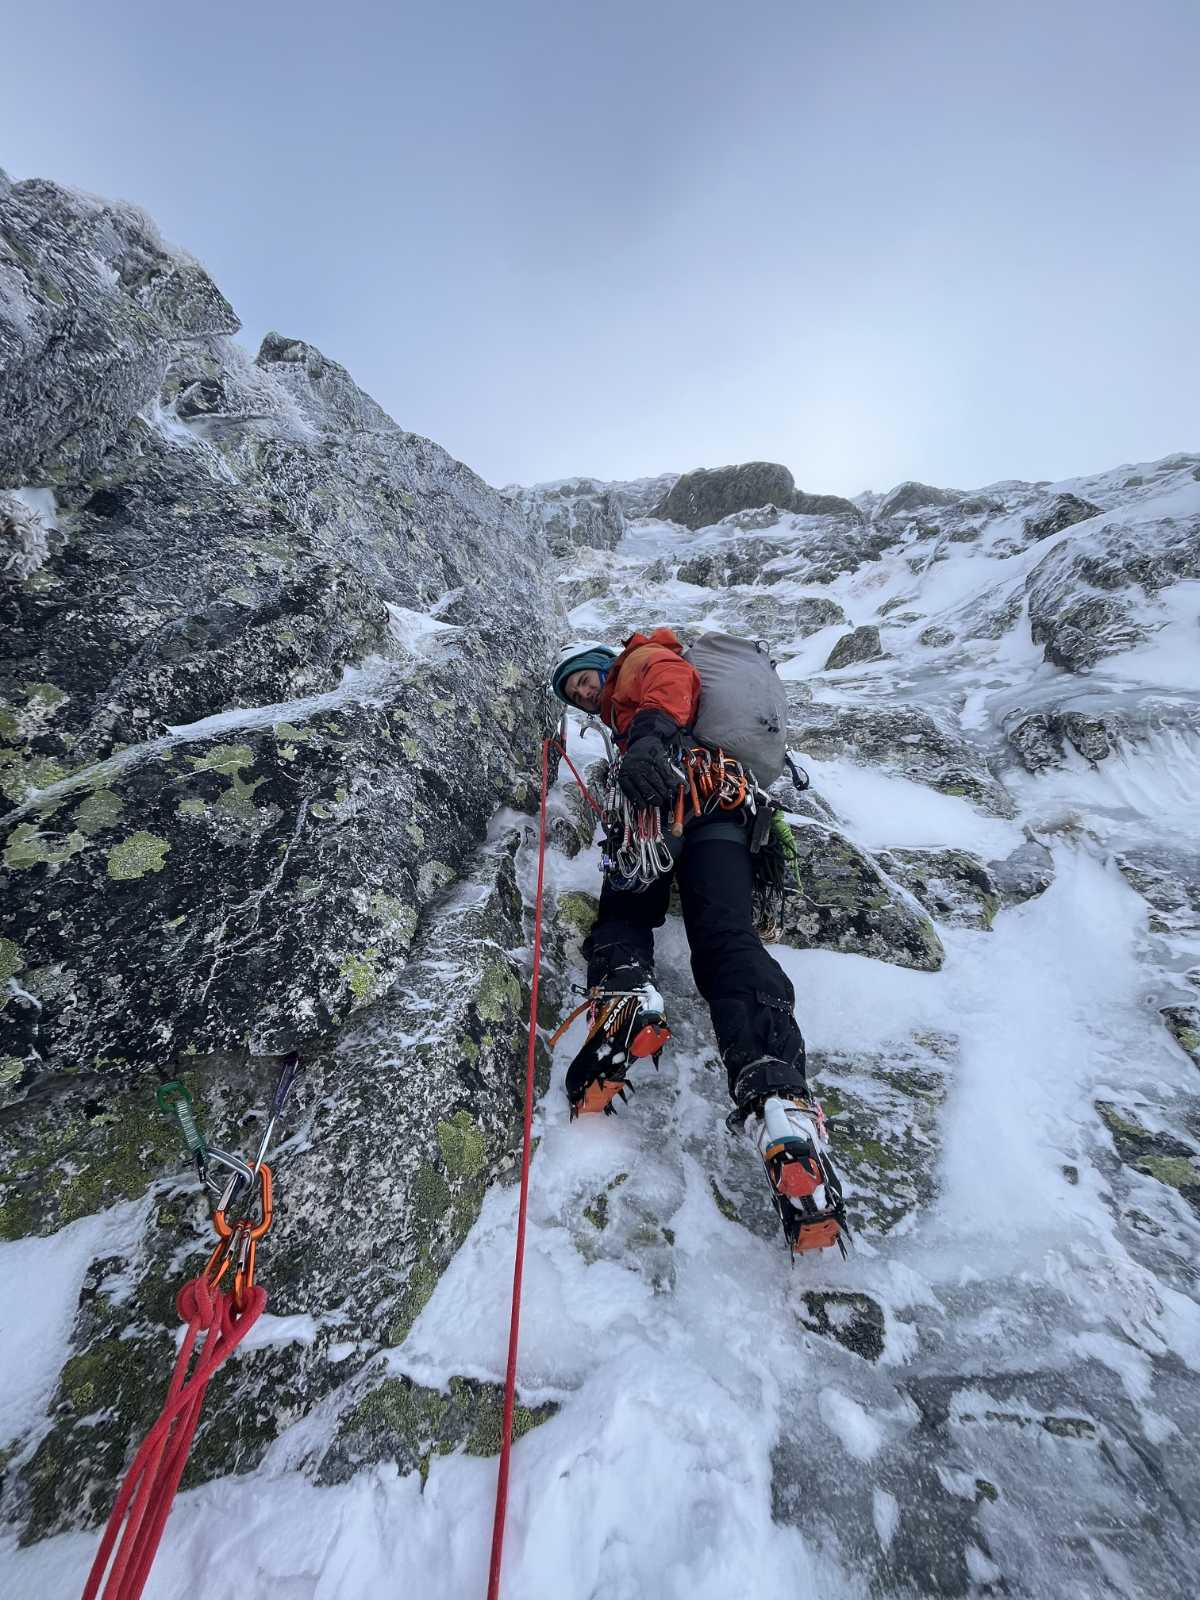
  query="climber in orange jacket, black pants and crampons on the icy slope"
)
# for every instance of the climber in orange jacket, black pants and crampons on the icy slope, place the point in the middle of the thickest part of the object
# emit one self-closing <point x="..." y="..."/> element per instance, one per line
<point x="649" y="695"/>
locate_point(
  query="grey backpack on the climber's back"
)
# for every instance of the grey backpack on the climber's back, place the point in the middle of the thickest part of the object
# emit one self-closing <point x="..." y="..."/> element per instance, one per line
<point x="743" y="706"/>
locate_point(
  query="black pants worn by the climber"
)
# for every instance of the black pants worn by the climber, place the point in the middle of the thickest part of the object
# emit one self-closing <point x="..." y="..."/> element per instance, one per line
<point x="750" y="994"/>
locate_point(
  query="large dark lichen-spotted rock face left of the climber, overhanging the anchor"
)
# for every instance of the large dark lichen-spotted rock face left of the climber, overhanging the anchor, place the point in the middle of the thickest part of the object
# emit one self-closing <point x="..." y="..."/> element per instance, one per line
<point x="183" y="876"/>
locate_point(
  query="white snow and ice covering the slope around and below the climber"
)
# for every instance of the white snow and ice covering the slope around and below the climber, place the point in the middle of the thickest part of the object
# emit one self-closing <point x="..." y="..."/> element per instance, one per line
<point x="999" y="1393"/>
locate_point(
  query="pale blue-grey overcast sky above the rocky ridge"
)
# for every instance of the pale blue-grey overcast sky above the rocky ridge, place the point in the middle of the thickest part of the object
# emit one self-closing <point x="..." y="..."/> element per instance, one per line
<point x="884" y="241"/>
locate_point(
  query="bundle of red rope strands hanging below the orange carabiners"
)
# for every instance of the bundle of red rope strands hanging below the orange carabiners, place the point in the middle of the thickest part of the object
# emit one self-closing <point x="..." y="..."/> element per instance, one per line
<point x="148" y="1492"/>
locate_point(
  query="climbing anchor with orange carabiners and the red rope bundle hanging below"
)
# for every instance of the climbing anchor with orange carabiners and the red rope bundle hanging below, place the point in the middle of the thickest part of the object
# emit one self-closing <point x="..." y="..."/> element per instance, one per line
<point x="220" y="1306"/>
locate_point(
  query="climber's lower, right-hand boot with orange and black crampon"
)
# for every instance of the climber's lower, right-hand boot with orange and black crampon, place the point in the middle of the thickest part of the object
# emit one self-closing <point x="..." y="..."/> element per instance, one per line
<point x="790" y="1134"/>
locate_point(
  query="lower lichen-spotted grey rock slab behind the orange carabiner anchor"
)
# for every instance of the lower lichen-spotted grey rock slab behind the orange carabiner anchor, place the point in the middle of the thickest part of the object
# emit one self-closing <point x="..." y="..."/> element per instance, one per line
<point x="396" y="1140"/>
